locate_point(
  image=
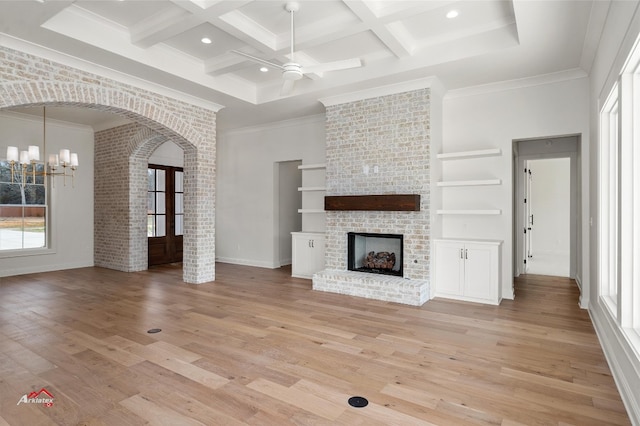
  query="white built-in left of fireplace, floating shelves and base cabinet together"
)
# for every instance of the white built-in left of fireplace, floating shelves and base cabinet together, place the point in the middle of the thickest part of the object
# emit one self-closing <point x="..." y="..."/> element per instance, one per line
<point x="308" y="245"/>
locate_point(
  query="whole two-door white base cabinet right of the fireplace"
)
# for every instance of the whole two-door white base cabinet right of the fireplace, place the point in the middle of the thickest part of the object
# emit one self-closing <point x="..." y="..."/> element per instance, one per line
<point x="468" y="270"/>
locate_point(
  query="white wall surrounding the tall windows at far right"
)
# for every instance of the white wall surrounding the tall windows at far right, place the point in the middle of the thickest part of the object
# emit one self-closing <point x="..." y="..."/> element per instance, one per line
<point x="621" y="30"/>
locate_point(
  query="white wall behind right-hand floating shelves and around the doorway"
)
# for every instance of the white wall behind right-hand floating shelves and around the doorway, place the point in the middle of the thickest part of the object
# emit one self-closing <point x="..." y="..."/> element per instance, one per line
<point x="493" y="118"/>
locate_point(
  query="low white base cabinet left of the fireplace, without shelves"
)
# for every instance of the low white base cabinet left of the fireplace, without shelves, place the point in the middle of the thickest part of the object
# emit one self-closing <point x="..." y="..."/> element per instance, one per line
<point x="307" y="253"/>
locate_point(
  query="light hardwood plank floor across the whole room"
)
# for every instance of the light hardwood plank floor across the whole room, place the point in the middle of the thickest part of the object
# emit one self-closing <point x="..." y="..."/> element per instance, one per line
<point x="259" y="347"/>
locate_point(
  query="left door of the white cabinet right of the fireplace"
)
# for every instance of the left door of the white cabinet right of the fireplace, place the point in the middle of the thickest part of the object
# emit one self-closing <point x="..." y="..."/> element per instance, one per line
<point x="449" y="268"/>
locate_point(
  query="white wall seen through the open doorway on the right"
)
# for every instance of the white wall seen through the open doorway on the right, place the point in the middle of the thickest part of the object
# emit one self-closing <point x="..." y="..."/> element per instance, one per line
<point x="549" y="200"/>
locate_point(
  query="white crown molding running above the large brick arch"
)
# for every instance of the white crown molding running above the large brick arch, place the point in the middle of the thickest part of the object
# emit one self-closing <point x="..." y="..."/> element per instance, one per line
<point x="90" y="67"/>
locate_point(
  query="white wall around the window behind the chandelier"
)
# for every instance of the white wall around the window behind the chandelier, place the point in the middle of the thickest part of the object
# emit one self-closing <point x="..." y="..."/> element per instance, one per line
<point x="71" y="210"/>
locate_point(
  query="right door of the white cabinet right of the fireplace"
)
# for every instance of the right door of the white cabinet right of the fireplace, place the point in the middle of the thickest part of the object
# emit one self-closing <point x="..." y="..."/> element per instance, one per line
<point x="479" y="281"/>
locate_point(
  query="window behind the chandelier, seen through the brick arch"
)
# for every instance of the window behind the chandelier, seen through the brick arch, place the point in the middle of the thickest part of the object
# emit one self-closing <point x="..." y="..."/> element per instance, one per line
<point x="23" y="208"/>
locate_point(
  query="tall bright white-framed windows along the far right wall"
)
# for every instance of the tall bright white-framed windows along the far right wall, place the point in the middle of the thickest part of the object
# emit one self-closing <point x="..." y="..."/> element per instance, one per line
<point x="619" y="200"/>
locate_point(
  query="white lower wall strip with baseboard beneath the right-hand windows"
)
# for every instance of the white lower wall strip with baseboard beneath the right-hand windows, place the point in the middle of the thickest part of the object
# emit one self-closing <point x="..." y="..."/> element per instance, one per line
<point x="618" y="354"/>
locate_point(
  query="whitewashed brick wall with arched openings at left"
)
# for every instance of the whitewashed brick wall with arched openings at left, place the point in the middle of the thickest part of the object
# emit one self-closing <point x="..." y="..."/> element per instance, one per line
<point x="28" y="80"/>
